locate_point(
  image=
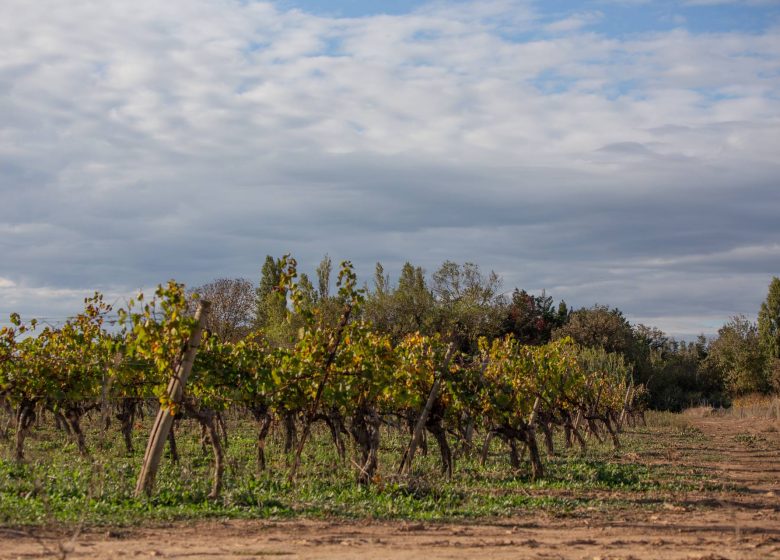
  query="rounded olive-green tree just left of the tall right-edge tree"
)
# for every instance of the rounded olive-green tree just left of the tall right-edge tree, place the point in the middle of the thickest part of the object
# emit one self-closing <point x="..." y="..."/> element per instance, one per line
<point x="736" y="354"/>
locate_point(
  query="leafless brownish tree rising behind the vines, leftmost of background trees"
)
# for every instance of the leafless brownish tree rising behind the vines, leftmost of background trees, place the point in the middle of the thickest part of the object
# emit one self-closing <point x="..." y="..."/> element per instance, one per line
<point x="232" y="305"/>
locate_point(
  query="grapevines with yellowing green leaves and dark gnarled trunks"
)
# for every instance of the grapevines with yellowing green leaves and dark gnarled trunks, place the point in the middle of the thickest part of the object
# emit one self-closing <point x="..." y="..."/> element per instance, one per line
<point x="339" y="371"/>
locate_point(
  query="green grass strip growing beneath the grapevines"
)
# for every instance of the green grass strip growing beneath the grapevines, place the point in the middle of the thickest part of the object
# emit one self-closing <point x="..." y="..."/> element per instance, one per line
<point x="57" y="487"/>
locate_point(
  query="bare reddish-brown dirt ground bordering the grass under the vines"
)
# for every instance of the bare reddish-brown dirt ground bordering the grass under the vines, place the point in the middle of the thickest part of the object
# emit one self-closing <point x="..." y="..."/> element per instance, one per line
<point x="726" y="525"/>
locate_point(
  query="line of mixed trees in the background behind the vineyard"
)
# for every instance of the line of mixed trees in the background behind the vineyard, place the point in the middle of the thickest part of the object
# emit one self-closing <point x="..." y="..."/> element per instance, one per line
<point x="464" y="303"/>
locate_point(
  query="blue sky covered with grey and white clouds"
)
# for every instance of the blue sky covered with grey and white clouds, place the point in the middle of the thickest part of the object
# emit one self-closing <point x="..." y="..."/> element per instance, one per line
<point x="625" y="153"/>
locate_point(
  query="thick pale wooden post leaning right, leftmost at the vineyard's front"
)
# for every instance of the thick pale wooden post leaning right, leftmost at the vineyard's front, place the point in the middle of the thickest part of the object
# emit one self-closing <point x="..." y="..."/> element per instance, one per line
<point x="174" y="392"/>
